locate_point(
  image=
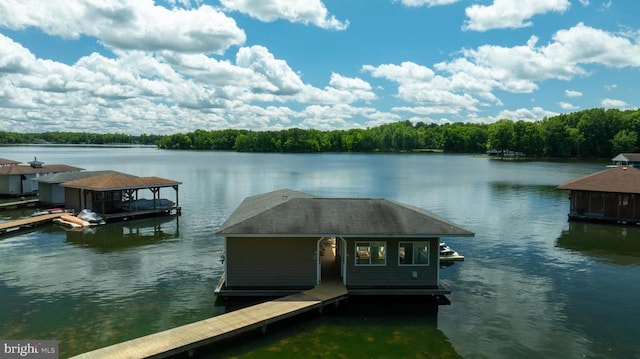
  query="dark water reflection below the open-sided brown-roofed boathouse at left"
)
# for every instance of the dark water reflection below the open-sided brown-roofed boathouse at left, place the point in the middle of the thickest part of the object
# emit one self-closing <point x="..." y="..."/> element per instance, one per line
<point x="122" y="235"/>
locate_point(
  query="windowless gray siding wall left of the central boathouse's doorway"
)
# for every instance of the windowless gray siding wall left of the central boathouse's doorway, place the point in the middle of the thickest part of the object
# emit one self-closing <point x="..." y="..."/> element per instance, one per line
<point x="271" y="262"/>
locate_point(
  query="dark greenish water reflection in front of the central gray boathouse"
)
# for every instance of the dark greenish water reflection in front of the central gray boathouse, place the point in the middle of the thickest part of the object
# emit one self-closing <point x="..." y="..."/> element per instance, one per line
<point x="360" y="328"/>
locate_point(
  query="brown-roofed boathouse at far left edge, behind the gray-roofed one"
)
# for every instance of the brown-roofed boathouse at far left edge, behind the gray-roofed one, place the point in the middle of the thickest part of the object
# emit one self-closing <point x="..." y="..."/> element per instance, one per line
<point x="21" y="180"/>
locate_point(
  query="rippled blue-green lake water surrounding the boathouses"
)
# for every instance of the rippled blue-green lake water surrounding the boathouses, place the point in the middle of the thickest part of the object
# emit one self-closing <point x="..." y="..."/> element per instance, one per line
<point x="532" y="285"/>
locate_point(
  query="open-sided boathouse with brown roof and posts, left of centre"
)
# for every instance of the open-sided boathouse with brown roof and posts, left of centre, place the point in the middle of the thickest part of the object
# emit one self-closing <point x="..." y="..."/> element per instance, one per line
<point x="116" y="195"/>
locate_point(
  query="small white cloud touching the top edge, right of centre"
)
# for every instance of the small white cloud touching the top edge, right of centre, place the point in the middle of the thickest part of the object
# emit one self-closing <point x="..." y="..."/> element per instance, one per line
<point x="510" y="13"/>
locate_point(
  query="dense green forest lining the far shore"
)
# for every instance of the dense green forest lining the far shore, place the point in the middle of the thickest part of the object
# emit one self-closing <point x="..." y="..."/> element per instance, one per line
<point x="595" y="133"/>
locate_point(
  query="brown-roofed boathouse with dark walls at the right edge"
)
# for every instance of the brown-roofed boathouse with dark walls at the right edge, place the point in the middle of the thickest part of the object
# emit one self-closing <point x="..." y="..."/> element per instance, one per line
<point x="609" y="196"/>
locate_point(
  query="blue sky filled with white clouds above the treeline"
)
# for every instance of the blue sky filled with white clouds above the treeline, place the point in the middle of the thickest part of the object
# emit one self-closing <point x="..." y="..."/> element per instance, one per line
<point x="175" y="66"/>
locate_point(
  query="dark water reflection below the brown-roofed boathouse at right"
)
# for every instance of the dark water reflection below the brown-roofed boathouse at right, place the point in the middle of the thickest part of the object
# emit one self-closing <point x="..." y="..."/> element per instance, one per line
<point x="616" y="244"/>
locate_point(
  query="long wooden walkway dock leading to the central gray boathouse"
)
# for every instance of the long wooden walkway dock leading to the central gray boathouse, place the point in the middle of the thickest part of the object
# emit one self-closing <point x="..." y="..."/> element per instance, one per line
<point x="191" y="336"/>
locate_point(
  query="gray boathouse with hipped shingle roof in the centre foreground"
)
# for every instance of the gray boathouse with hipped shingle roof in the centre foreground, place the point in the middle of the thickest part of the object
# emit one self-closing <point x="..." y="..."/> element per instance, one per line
<point x="275" y="242"/>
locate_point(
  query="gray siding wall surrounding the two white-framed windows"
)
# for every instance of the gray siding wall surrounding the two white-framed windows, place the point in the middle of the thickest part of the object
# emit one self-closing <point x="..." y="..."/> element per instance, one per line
<point x="392" y="274"/>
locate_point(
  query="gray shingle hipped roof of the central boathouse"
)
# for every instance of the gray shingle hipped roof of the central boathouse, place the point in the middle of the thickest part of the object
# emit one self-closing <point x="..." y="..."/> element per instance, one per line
<point x="291" y="213"/>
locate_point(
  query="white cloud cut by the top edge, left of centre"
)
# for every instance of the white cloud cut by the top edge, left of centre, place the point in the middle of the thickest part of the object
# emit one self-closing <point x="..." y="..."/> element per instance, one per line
<point x="297" y="11"/>
